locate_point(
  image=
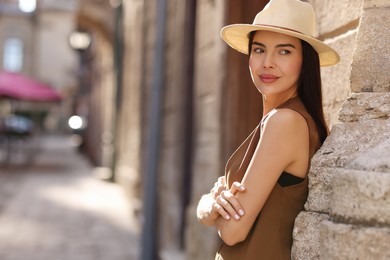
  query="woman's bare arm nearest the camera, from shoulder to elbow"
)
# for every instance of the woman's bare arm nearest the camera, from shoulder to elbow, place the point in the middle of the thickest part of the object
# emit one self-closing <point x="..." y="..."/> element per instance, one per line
<point x="283" y="146"/>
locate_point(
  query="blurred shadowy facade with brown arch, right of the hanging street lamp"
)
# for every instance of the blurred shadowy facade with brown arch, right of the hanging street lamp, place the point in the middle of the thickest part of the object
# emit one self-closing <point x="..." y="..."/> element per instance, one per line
<point x="96" y="98"/>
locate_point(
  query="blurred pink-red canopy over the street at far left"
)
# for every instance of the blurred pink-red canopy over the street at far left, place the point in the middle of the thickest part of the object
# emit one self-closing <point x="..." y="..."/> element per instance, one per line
<point x="17" y="86"/>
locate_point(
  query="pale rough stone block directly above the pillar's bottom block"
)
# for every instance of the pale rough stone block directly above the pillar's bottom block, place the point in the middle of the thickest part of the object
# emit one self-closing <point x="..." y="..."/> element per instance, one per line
<point x="361" y="197"/>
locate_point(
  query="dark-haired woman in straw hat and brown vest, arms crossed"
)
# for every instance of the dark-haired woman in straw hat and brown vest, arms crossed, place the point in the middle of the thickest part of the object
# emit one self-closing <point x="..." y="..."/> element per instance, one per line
<point x="253" y="207"/>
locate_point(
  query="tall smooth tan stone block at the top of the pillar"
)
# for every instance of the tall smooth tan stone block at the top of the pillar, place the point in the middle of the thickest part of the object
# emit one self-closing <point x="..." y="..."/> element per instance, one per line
<point x="372" y="58"/>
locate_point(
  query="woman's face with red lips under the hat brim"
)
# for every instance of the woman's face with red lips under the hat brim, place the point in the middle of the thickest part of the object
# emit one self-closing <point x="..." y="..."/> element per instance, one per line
<point x="275" y="63"/>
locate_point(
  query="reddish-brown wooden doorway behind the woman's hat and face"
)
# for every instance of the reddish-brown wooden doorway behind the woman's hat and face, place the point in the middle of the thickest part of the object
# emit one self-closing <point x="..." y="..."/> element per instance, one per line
<point x="242" y="103"/>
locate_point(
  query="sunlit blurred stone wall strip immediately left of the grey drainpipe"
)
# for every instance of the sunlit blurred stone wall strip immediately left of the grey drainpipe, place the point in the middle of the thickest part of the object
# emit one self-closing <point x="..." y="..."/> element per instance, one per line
<point x="129" y="132"/>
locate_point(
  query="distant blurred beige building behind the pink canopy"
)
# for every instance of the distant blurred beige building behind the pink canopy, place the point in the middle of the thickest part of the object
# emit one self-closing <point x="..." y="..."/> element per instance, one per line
<point x="33" y="42"/>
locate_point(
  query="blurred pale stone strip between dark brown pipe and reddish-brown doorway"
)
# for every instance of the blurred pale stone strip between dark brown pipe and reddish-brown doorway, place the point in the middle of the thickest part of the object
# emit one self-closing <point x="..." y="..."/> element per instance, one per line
<point x="201" y="241"/>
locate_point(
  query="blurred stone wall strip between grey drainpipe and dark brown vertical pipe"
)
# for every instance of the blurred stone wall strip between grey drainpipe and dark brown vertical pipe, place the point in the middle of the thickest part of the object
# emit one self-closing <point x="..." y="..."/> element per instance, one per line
<point x="174" y="136"/>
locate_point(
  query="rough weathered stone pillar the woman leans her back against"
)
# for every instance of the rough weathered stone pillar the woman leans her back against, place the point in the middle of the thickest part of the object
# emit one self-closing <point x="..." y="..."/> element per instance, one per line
<point x="347" y="213"/>
